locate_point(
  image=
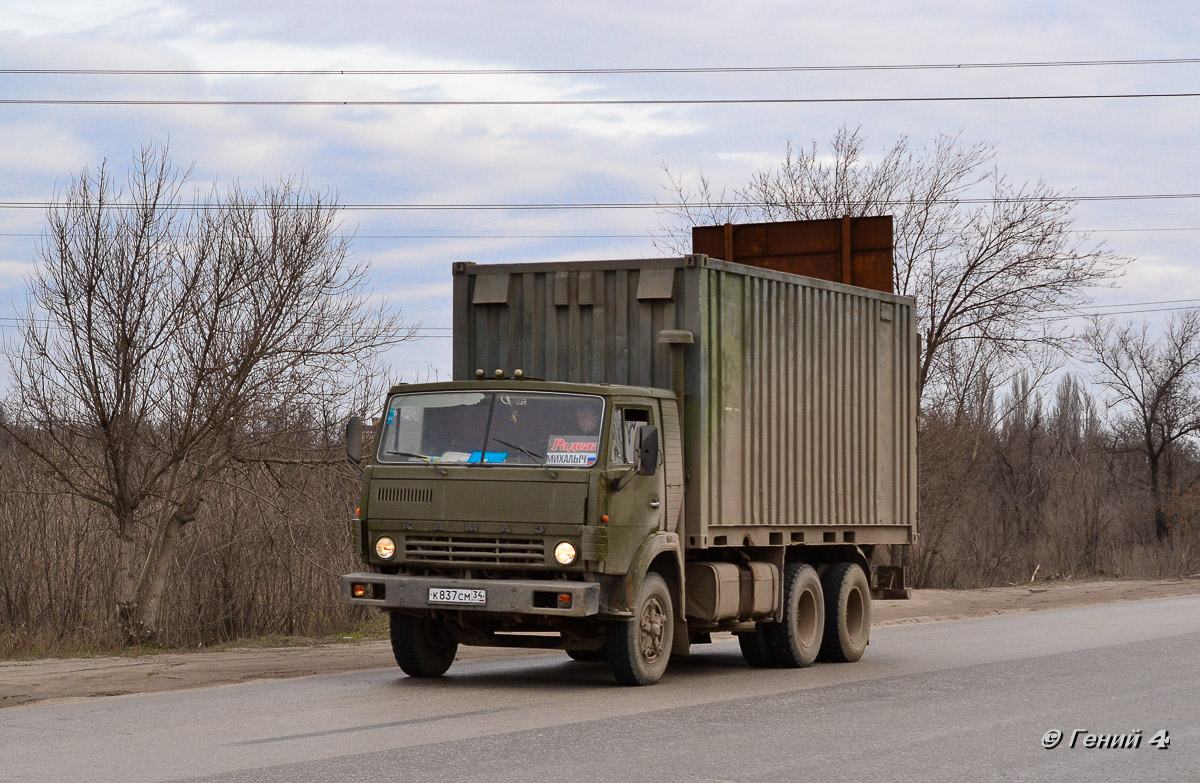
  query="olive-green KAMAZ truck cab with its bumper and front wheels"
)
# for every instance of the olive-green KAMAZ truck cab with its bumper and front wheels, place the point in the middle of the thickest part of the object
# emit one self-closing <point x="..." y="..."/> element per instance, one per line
<point x="512" y="512"/>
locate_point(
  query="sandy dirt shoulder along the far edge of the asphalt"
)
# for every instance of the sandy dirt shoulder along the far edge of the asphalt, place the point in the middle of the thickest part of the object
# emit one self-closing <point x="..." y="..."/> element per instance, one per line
<point x="27" y="683"/>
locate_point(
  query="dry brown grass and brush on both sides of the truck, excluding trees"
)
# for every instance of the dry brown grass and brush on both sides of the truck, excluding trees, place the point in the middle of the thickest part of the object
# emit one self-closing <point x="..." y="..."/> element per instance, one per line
<point x="261" y="563"/>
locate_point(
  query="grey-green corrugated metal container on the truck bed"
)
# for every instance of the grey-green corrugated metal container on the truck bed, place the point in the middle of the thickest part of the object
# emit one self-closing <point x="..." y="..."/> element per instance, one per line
<point x="801" y="405"/>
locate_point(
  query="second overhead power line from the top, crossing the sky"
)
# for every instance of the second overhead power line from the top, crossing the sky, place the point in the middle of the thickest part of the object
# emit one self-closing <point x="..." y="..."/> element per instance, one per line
<point x="739" y="101"/>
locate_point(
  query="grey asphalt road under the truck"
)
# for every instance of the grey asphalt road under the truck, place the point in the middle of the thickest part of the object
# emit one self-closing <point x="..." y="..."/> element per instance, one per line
<point x="967" y="701"/>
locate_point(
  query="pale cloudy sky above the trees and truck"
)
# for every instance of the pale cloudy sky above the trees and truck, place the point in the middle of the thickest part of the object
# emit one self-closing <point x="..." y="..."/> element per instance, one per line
<point x="439" y="154"/>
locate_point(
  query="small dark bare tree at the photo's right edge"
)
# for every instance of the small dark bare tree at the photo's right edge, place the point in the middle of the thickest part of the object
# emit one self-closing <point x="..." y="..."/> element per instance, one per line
<point x="1155" y="384"/>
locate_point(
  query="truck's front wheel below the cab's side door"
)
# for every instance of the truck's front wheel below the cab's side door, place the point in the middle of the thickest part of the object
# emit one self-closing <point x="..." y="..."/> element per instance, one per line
<point x="639" y="649"/>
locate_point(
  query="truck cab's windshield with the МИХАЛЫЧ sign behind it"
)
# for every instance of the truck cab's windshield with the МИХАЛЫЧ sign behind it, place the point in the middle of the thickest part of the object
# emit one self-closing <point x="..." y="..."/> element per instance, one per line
<point x="494" y="428"/>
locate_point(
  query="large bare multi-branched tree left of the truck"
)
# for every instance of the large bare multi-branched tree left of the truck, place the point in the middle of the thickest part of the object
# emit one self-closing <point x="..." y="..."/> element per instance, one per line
<point x="159" y="338"/>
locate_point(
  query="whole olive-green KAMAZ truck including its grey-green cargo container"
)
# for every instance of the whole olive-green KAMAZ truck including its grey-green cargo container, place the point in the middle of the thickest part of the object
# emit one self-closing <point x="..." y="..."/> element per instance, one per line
<point x="637" y="455"/>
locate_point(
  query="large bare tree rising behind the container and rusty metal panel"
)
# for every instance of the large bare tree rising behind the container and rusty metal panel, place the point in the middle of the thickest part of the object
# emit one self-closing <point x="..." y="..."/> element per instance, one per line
<point x="986" y="260"/>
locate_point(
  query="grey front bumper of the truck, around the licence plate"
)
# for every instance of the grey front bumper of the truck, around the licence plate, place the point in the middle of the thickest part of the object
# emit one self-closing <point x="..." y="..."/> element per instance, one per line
<point x="509" y="596"/>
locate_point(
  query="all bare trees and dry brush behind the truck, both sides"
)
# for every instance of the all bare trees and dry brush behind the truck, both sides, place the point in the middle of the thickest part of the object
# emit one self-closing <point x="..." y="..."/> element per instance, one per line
<point x="172" y="456"/>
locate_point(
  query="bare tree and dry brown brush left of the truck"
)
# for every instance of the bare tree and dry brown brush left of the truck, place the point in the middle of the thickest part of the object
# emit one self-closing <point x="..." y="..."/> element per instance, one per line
<point x="171" y="439"/>
